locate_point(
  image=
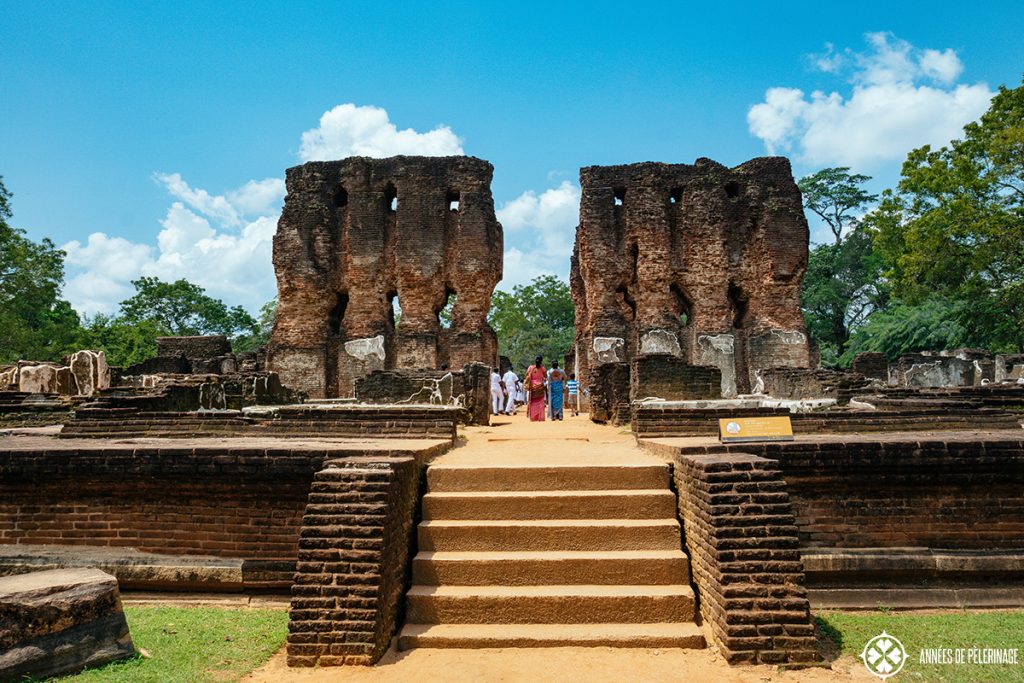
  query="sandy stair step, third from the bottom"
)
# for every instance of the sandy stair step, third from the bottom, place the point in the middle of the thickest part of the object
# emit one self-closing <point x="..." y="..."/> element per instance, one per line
<point x="539" y="568"/>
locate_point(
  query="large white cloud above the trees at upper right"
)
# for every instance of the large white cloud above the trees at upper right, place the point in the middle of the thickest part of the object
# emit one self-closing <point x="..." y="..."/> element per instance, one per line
<point x="902" y="98"/>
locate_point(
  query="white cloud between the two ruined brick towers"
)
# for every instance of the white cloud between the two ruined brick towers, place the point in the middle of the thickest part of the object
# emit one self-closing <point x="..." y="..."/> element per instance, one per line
<point x="543" y="230"/>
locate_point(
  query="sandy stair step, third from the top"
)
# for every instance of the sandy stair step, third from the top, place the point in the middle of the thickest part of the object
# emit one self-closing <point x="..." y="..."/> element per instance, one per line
<point x="504" y="535"/>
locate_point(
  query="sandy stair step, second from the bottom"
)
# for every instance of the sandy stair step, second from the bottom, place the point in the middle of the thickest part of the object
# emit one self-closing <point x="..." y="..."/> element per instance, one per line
<point x="549" y="605"/>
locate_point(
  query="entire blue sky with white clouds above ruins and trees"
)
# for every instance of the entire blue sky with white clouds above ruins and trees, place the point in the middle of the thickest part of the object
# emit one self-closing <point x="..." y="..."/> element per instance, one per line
<point x="151" y="139"/>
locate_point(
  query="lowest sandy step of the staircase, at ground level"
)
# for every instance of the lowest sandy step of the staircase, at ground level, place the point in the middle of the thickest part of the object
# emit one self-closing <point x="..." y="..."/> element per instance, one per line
<point x="550" y="635"/>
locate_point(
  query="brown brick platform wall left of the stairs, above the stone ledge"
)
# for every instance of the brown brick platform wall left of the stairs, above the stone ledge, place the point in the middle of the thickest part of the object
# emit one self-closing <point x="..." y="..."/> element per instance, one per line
<point x="241" y="503"/>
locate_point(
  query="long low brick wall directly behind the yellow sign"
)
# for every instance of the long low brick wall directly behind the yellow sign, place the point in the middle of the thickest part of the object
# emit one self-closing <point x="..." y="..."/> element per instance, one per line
<point x="655" y="419"/>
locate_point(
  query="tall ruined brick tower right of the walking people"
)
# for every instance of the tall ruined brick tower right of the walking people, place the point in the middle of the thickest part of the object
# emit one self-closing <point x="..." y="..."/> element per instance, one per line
<point x="700" y="262"/>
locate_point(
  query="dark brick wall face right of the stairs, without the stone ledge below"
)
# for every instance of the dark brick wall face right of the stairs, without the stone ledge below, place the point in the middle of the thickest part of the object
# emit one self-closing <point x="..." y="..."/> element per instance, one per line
<point x="876" y="492"/>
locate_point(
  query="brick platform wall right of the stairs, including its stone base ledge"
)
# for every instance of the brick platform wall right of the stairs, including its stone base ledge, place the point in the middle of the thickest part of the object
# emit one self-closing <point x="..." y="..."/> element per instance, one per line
<point x="899" y="508"/>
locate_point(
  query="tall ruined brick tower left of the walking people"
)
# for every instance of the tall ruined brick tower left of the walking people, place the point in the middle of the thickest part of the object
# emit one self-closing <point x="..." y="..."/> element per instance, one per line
<point x="361" y="239"/>
